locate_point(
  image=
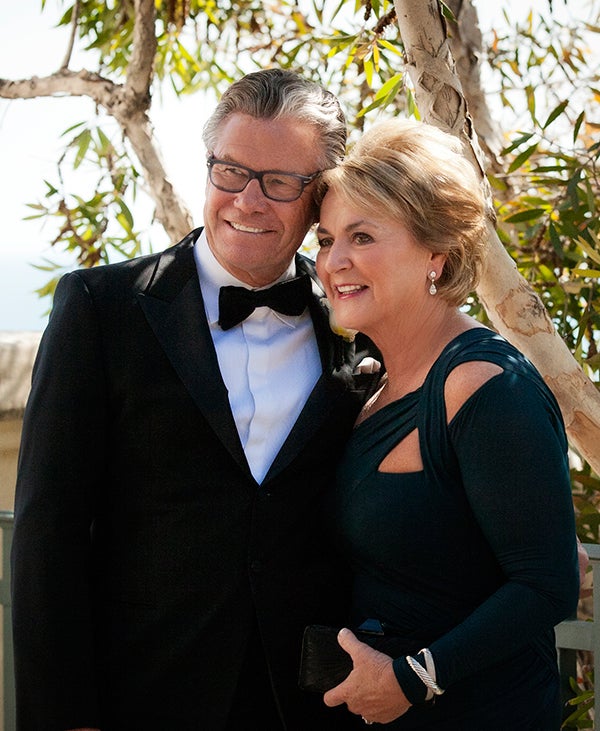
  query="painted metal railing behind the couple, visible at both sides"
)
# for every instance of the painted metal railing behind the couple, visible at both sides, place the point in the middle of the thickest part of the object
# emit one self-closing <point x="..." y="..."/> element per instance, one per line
<point x="571" y="635"/>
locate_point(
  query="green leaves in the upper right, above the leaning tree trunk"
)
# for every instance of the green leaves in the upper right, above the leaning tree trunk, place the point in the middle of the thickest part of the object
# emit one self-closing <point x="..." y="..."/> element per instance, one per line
<point x="550" y="195"/>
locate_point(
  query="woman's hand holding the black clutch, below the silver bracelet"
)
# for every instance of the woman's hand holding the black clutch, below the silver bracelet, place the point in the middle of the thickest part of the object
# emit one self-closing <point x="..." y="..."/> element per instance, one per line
<point x="371" y="690"/>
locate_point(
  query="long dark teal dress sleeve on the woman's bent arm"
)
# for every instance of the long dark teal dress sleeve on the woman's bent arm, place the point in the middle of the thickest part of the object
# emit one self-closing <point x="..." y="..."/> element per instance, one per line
<point x="511" y="454"/>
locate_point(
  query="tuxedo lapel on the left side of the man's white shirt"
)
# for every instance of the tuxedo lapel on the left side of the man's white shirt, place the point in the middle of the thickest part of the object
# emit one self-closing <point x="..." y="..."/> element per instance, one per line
<point x="173" y="306"/>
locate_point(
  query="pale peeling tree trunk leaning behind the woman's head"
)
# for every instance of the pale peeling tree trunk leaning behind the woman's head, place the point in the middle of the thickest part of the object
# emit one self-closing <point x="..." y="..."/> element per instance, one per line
<point x="513" y="307"/>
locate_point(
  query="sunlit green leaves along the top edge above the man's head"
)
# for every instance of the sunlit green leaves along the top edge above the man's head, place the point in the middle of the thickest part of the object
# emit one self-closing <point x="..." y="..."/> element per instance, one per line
<point x="205" y="45"/>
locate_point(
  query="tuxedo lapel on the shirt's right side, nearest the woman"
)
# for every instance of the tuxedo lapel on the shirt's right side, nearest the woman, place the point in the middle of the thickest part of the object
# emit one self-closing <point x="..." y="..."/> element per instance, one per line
<point x="334" y="383"/>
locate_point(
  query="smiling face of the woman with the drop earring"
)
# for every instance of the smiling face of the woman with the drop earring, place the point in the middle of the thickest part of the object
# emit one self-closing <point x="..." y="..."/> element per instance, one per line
<point x="373" y="270"/>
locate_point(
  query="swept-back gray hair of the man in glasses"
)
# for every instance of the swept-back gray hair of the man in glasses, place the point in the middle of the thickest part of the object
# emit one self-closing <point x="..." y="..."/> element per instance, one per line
<point x="280" y="93"/>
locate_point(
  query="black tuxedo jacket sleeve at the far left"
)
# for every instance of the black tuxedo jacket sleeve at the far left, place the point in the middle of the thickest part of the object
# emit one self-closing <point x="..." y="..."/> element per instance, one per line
<point x="59" y="483"/>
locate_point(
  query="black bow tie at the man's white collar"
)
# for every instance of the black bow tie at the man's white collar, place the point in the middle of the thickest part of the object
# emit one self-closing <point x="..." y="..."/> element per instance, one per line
<point x="237" y="303"/>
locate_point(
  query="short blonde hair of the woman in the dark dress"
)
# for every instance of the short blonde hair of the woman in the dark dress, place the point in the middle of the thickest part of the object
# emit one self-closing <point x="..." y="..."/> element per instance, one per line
<point x="417" y="175"/>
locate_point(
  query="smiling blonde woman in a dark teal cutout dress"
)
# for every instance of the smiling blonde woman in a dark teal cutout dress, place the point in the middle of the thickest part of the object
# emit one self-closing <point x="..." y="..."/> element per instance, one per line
<point x="453" y="500"/>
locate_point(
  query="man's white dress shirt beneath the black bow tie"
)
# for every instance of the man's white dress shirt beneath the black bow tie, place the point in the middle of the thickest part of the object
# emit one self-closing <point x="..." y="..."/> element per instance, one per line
<point x="269" y="363"/>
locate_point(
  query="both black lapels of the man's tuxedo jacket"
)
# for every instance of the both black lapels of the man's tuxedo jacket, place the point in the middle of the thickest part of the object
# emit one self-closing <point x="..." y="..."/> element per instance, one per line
<point x="173" y="306"/>
